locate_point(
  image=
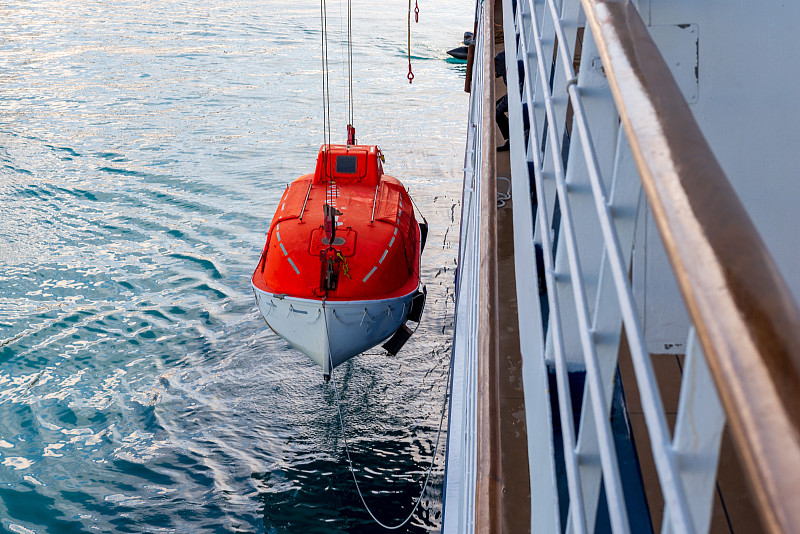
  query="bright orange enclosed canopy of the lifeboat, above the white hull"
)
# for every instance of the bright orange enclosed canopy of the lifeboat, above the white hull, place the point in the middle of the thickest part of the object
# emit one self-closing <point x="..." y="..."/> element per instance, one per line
<point x="377" y="236"/>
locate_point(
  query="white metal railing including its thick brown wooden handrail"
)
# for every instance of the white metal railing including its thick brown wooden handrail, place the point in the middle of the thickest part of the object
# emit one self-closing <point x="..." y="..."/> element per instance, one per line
<point x="629" y="129"/>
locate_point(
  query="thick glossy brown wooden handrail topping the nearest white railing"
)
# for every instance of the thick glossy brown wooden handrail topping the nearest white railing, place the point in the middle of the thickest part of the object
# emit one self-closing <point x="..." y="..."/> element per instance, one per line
<point x="744" y="313"/>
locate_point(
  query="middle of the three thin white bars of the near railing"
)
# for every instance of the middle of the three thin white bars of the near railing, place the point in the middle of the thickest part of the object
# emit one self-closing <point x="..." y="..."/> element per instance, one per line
<point x="613" y="484"/>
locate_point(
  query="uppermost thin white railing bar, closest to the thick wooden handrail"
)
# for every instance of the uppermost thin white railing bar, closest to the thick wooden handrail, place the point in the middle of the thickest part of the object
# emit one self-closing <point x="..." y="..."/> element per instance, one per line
<point x="652" y="405"/>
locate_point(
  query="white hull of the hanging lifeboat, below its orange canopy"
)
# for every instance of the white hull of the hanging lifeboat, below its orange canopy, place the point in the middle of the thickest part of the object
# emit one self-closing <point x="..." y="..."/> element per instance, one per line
<point x="335" y="331"/>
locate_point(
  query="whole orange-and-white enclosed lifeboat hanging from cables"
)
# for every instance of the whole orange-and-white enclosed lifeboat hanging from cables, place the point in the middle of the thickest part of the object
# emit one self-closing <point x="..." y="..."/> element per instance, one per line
<point x="340" y="271"/>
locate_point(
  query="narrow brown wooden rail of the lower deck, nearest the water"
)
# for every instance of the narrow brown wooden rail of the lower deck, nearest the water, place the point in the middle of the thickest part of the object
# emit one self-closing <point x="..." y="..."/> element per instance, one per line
<point x="488" y="486"/>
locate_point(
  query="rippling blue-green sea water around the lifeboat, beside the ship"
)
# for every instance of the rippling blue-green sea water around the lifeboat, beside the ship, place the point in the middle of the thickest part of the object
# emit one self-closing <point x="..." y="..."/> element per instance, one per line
<point x="143" y="146"/>
